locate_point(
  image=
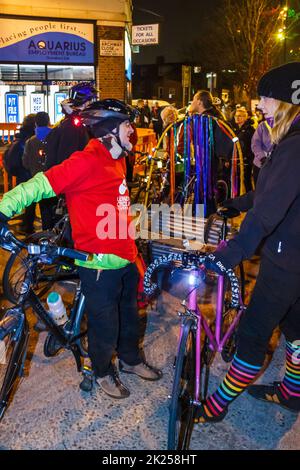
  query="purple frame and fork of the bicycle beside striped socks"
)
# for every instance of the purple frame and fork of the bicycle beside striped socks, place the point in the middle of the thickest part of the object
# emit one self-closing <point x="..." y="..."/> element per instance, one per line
<point x="216" y="341"/>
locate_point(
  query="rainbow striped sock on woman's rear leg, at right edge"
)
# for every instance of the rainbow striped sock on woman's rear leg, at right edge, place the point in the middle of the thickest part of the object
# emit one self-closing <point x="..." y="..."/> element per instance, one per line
<point x="290" y="385"/>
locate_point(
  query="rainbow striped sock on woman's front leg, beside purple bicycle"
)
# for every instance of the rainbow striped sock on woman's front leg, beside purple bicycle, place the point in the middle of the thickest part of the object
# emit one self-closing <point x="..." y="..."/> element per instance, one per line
<point x="237" y="379"/>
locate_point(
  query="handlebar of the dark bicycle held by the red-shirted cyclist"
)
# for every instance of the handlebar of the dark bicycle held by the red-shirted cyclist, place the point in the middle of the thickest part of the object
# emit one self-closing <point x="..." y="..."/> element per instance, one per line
<point x="9" y="242"/>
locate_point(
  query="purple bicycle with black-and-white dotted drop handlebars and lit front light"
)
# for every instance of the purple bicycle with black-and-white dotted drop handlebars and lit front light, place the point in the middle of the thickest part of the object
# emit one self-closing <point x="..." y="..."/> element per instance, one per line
<point x="198" y="341"/>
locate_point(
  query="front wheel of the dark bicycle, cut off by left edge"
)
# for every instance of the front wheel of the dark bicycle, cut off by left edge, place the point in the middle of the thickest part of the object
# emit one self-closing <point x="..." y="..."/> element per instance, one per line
<point x="13" y="349"/>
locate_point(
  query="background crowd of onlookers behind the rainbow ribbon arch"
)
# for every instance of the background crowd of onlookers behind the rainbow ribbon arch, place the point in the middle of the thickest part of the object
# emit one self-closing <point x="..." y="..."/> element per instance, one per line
<point x="252" y="129"/>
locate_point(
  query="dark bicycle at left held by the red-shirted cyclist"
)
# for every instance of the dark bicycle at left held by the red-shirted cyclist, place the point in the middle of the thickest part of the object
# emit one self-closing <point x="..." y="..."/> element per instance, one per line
<point x="14" y="328"/>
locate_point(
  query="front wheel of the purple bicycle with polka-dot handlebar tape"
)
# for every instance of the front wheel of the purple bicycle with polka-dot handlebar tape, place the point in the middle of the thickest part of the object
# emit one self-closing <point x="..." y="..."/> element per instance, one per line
<point x="181" y="406"/>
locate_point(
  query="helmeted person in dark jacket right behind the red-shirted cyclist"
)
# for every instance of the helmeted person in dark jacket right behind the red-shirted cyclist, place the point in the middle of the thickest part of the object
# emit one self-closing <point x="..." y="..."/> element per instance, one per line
<point x="70" y="135"/>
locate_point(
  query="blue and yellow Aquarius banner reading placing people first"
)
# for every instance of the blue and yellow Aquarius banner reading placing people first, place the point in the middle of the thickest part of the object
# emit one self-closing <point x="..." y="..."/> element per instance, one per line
<point x="46" y="41"/>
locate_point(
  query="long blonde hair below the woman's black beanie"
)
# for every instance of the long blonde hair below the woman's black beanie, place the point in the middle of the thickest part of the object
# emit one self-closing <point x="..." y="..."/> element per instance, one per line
<point x="283" y="117"/>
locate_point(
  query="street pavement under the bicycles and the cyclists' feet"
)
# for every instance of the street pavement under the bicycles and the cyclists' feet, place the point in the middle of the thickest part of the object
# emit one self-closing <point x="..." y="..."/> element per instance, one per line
<point x="48" y="410"/>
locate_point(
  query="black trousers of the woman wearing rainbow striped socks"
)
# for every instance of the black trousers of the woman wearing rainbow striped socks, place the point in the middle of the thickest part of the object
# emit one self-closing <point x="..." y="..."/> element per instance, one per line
<point x="275" y="302"/>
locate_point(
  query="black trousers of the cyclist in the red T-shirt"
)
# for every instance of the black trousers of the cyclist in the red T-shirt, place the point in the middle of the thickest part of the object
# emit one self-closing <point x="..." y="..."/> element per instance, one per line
<point x="113" y="321"/>
